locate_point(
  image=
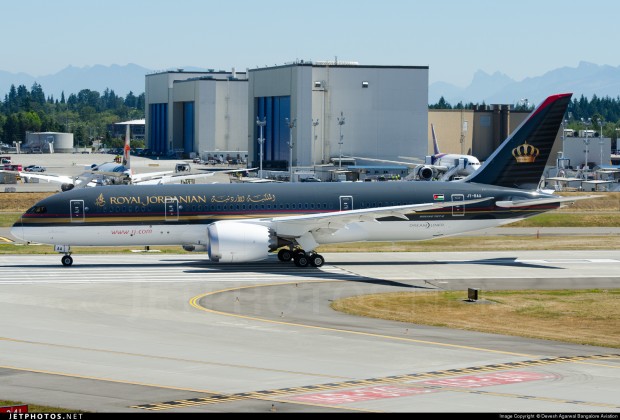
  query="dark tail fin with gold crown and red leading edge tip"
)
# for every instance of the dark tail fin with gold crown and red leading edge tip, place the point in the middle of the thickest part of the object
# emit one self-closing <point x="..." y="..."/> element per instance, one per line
<point x="520" y="160"/>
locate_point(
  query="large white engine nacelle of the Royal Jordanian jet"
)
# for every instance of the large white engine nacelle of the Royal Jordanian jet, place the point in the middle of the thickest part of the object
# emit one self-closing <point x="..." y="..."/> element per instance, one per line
<point x="239" y="242"/>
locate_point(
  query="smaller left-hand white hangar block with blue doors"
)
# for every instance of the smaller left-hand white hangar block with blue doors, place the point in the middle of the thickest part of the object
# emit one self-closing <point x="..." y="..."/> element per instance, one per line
<point x="194" y="112"/>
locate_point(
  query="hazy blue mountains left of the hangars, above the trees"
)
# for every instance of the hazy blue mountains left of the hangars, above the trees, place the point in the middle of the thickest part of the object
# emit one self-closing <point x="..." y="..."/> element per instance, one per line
<point x="120" y="79"/>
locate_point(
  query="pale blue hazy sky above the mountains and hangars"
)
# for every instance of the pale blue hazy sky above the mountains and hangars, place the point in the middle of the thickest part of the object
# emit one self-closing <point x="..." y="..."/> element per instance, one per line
<point x="522" y="38"/>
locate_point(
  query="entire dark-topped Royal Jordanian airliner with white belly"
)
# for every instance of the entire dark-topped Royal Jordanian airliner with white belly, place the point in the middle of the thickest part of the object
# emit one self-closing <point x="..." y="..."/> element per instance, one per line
<point x="244" y="222"/>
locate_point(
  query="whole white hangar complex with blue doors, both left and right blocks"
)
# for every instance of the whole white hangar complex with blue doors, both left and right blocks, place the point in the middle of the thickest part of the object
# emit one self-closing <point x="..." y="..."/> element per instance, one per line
<point x="330" y="108"/>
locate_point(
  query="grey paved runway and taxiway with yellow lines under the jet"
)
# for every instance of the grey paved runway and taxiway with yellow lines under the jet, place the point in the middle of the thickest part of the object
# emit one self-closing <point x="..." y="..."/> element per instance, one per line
<point x="174" y="333"/>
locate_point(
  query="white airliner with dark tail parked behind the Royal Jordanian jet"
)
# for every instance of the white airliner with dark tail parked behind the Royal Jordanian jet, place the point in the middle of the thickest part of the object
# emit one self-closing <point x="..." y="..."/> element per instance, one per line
<point x="439" y="166"/>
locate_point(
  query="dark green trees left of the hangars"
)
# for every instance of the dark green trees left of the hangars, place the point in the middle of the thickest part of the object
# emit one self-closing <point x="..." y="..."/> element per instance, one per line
<point x="87" y="114"/>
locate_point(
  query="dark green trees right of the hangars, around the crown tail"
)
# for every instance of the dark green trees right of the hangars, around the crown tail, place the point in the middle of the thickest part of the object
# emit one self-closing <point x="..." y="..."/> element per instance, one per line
<point x="581" y="114"/>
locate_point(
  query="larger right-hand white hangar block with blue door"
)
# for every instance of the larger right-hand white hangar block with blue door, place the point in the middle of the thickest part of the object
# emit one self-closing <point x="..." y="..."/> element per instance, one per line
<point x="335" y="109"/>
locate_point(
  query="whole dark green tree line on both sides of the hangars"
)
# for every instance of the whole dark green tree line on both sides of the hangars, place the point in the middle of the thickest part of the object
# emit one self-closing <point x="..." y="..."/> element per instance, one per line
<point x="89" y="114"/>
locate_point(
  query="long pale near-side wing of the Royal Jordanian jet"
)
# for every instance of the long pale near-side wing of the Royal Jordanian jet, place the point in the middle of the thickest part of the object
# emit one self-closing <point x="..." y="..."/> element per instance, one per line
<point x="295" y="226"/>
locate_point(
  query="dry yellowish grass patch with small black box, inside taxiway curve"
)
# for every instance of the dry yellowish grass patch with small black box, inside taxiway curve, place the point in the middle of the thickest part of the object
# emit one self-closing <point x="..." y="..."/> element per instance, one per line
<point x="589" y="317"/>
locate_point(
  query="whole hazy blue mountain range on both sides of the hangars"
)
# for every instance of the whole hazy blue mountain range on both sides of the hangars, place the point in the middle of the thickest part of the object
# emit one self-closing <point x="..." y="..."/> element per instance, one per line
<point x="586" y="79"/>
